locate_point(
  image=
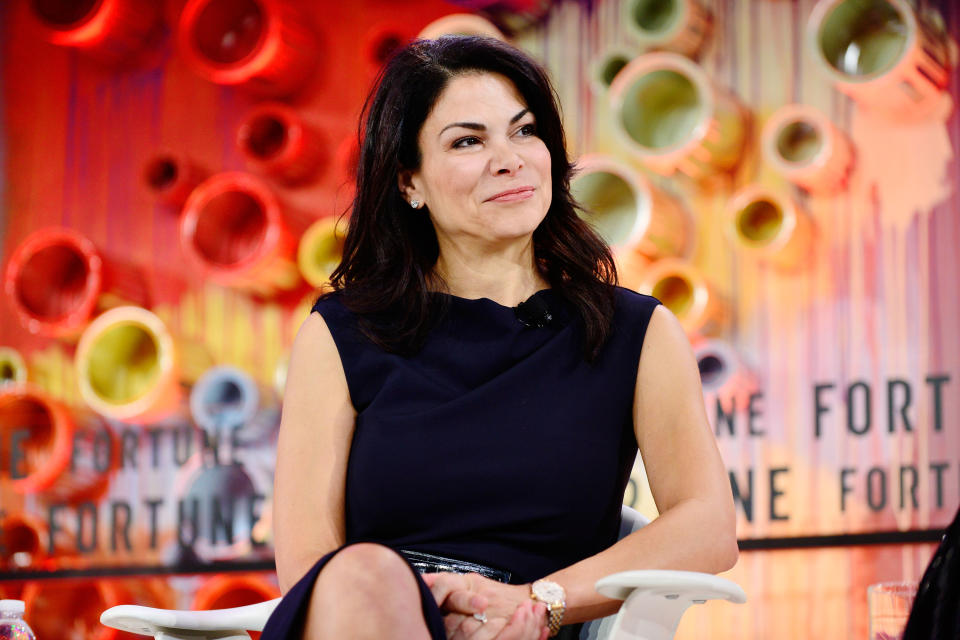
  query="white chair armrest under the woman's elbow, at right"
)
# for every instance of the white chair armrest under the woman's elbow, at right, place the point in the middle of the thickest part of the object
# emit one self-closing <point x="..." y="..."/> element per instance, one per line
<point x="654" y="601"/>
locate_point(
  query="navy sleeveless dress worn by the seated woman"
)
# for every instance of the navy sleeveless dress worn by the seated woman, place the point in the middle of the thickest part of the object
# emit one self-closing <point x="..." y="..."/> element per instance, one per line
<point x="497" y="443"/>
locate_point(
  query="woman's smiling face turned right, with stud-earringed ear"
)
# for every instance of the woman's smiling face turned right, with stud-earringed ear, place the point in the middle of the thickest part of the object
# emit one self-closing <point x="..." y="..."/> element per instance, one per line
<point x="484" y="173"/>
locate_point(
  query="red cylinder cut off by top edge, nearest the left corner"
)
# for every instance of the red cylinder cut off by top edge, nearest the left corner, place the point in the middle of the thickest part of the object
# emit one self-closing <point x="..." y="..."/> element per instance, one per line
<point x="109" y="30"/>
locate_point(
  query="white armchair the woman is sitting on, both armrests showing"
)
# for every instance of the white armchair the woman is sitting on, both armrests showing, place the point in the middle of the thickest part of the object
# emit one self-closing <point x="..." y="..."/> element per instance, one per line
<point x="653" y="603"/>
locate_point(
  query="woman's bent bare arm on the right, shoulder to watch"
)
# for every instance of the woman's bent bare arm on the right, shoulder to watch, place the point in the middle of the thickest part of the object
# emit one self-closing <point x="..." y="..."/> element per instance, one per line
<point x="696" y="529"/>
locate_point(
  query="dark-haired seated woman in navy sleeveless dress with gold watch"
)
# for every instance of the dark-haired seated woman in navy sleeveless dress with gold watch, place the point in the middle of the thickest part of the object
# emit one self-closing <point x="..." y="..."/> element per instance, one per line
<point x="474" y="390"/>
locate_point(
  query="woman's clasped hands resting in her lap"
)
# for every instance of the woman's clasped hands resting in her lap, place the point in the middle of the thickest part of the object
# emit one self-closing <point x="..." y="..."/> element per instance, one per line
<point x="510" y="612"/>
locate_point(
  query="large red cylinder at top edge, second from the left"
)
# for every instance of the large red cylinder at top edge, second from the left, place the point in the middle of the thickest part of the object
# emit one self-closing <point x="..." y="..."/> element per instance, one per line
<point x="260" y="45"/>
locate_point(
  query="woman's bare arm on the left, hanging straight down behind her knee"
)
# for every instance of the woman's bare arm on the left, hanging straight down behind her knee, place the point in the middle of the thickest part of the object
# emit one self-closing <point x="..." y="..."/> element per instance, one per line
<point x="314" y="443"/>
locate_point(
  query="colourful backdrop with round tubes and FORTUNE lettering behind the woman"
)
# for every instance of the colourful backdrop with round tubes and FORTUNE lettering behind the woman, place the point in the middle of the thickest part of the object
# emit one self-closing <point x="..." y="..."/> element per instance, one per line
<point x="781" y="173"/>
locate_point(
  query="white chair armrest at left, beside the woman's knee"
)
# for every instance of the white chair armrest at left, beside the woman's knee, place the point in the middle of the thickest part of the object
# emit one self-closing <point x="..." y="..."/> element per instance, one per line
<point x="171" y="623"/>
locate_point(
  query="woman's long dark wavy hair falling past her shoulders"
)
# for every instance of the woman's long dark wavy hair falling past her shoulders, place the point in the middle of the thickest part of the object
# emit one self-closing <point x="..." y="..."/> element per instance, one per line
<point x="386" y="275"/>
